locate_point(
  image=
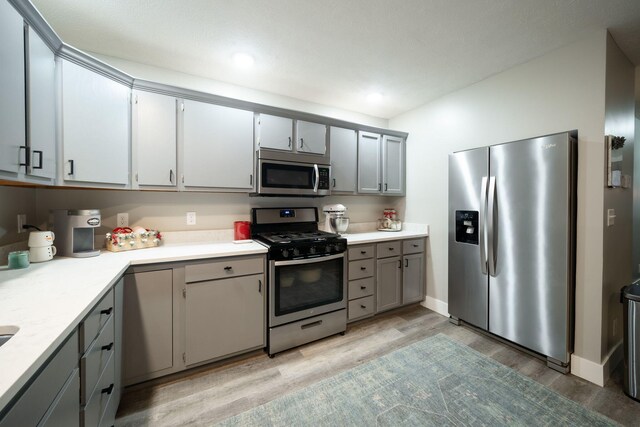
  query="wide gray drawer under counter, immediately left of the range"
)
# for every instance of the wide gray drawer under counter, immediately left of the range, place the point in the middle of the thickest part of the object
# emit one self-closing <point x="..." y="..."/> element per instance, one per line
<point x="222" y="269"/>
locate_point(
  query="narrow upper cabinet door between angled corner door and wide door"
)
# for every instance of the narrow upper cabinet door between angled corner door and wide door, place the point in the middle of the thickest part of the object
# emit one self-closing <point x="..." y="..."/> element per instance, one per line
<point x="154" y="139"/>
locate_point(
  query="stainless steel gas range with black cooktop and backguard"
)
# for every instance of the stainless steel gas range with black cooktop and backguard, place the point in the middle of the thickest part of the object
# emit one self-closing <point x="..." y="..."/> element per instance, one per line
<point x="307" y="294"/>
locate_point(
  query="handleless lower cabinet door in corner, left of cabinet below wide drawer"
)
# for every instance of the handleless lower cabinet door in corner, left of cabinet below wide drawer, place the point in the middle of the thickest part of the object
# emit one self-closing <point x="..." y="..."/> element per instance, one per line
<point x="147" y="324"/>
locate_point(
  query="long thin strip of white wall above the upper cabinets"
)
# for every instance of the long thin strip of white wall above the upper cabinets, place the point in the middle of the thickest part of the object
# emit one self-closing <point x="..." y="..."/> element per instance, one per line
<point x="187" y="81"/>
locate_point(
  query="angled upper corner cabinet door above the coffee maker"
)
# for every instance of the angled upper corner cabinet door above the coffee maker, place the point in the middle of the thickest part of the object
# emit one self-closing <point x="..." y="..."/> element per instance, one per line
<point x="95" y="126"/>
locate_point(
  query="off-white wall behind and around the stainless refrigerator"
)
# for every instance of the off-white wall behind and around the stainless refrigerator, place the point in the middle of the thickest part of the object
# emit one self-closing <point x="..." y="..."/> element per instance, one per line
<point x="560" y="91"/>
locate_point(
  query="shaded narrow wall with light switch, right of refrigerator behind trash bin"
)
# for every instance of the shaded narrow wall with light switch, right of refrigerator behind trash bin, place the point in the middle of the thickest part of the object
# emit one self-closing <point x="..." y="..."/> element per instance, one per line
<point x="617" y="253"/>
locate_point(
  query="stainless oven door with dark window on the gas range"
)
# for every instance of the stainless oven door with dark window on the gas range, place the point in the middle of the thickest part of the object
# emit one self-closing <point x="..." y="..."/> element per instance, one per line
<point x="302" y="288"/>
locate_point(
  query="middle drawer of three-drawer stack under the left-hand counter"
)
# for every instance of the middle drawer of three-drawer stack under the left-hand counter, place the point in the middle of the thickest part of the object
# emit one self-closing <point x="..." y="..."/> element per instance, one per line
<point x="95" y="360"/>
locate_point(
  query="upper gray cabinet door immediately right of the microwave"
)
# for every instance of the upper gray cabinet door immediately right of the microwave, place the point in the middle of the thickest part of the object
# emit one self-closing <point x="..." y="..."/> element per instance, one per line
<point x="344" y="159"/>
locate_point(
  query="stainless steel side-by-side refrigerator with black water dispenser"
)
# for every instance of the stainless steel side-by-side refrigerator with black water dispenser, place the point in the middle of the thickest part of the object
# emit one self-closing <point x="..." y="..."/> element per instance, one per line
<point x="512" y="242"/>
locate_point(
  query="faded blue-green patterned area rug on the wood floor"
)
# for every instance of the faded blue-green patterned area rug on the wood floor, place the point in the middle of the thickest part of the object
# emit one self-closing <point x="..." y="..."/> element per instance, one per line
<point x="436" y="381"/>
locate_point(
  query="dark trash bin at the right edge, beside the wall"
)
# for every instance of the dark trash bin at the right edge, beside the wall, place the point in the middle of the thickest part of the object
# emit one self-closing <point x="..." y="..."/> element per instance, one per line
<point x="631" y="305"/>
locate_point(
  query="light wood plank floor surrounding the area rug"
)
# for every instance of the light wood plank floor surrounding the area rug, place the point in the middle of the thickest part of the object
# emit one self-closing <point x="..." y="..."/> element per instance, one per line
<point x="213" y="393"/>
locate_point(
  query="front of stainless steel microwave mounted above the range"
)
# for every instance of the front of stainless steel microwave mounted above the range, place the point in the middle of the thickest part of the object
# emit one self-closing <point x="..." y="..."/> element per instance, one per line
<point x="276" y="177"/>
